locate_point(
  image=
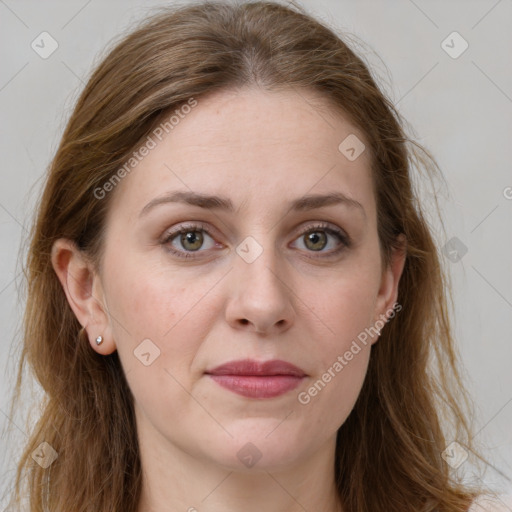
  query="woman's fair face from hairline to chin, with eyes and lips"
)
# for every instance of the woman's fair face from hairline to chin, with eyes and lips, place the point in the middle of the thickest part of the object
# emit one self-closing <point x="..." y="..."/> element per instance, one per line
<point x="271" y="271"/>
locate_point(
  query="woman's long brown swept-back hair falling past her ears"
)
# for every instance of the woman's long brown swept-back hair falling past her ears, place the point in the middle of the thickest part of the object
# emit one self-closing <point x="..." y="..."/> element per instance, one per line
<point x="389" y="449"/>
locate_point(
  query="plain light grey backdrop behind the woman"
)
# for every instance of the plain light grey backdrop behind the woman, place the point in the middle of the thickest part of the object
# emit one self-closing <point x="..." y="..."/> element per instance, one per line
<point x="459" y="104"/>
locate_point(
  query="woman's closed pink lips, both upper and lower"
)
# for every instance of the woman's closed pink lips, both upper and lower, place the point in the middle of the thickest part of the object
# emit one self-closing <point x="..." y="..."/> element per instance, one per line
<point x="254" y="379"/>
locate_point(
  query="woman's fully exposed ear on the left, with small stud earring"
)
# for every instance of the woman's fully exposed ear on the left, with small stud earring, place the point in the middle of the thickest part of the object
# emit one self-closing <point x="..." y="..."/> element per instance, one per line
<point x="82" y="286"/>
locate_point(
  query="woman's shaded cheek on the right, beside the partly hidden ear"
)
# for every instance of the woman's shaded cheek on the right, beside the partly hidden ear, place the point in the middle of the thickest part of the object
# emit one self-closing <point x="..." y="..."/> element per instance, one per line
<point x="345" y="307"/>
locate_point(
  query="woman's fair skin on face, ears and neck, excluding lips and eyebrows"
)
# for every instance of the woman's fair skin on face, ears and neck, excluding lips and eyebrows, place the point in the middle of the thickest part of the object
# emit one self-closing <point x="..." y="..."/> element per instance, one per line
<point x="261" y="150"/>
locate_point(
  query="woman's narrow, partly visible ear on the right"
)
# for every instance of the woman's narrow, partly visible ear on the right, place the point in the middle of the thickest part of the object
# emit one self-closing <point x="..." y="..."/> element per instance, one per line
<point x="388" y="291"/>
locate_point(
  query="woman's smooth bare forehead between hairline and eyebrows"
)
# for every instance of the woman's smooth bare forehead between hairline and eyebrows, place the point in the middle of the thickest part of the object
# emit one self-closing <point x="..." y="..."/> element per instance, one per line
<point x="257" y="144"/>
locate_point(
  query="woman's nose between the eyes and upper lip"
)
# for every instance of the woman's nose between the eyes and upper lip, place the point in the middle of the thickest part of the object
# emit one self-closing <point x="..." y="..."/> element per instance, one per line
<point x="261" y="298"/>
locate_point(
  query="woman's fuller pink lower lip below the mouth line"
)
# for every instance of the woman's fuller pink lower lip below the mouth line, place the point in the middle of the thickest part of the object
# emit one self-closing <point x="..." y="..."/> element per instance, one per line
<point x="253" y="386"/>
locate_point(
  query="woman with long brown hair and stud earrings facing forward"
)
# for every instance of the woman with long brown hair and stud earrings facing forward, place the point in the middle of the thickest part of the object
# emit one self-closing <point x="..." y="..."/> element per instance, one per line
<point x="234" y="300"/>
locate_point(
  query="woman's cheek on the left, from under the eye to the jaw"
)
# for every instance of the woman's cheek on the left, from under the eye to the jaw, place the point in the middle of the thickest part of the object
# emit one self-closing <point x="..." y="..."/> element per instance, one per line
<point x="157" y="334"/>
